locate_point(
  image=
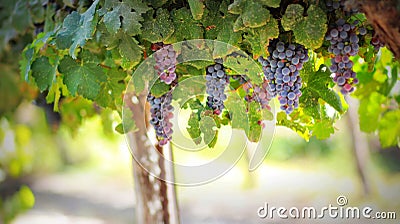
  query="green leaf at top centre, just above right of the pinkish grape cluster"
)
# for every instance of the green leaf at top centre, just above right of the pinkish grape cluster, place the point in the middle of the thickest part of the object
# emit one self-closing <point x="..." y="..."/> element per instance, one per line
<point x="186" y="28"/>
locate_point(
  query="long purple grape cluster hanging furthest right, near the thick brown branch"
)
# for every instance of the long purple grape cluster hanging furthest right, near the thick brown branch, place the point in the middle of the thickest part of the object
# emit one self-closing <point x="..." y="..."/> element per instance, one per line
<point x="343" y="44"/>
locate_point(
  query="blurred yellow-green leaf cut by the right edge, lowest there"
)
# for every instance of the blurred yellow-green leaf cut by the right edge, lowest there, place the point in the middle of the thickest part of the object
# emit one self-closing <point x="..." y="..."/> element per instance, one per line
<point x="389" y="129"/>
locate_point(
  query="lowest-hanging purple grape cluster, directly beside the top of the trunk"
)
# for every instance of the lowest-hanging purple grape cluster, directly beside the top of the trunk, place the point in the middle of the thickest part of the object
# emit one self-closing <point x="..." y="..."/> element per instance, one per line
<point x="161" y="112"/>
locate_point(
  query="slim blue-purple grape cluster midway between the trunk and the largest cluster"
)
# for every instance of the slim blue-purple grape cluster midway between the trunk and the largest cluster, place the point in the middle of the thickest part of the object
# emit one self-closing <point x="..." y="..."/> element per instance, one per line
<point x="216" y="81"/>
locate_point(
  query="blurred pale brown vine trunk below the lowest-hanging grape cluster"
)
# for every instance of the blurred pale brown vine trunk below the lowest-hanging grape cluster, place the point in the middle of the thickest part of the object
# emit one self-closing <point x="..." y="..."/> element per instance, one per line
<point x="155" y="198"/>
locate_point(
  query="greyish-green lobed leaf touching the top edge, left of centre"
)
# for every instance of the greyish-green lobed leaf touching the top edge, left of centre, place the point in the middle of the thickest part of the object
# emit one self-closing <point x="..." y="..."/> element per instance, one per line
<point x="125" y="15"/>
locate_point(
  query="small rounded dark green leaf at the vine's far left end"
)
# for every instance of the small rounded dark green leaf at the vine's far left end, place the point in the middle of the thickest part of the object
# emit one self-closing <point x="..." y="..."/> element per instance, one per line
<point x="43" y="72"/>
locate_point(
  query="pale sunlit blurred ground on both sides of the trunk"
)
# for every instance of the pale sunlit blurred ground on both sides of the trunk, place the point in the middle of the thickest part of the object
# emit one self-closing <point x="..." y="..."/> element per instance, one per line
<point x="90" y="198"/>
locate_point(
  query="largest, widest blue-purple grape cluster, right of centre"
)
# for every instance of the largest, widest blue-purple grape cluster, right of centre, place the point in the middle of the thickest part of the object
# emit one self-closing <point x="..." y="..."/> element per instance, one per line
<point x="282" y="70"/>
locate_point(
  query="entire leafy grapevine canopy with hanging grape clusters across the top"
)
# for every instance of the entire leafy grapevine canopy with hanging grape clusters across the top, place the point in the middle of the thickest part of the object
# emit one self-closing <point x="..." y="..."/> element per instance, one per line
<point x="79" y="56"/>
